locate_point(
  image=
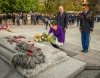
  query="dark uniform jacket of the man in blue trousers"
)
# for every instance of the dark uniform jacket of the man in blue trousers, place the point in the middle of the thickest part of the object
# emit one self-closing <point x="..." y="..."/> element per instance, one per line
<point x="86" y="22"/>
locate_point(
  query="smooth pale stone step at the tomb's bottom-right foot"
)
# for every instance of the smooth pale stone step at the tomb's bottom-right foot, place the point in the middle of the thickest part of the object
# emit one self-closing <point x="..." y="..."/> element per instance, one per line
<point x="66" y="69"/>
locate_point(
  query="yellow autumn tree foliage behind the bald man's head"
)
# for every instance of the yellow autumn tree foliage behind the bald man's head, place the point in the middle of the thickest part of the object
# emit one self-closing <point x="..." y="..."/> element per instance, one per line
<point x="51" y="6"/>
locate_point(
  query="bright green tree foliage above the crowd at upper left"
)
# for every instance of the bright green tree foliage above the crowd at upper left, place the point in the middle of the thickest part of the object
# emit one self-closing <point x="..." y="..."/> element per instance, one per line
<point x="18" y="5"/>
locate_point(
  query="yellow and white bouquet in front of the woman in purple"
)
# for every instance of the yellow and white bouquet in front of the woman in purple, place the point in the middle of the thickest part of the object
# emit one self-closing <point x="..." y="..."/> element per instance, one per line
<point x="44" y="38"/>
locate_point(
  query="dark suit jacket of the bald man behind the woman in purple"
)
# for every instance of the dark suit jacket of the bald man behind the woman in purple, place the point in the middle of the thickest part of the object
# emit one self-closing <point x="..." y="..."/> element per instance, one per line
<point x="62" y="20"/>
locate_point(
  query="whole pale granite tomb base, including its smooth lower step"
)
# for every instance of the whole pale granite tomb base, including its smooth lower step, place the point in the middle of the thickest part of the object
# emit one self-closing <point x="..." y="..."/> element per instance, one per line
<point x="57" y="63"/>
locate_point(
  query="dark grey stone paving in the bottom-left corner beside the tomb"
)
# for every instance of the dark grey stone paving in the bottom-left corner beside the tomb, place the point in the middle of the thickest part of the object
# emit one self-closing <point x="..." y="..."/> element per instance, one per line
<point x="6" y="71"/>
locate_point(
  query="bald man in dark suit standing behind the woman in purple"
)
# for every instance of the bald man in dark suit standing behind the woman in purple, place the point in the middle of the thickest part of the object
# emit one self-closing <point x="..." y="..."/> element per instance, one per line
<point x="62" y="18"/>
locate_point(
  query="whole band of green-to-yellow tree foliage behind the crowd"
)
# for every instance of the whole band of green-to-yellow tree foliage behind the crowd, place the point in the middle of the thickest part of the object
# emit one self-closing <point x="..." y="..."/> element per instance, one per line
<point x="48" y="6"/>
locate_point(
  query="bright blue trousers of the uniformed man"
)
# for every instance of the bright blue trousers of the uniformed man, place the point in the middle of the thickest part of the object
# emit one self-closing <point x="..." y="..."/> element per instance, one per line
<point x="85" y="40"/>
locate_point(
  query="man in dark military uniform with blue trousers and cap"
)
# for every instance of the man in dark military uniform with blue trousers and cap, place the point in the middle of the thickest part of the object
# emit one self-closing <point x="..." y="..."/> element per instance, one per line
<point x="86" y="27"/>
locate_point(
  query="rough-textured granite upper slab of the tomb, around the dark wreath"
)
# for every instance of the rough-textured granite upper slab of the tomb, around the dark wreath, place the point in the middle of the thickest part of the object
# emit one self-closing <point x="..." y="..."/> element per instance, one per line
<point x="52" y="56"/>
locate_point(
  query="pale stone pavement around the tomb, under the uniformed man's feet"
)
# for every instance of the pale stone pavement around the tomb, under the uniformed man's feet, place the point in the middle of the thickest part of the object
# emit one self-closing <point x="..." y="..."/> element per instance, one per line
<point x="72" y="45"/>
